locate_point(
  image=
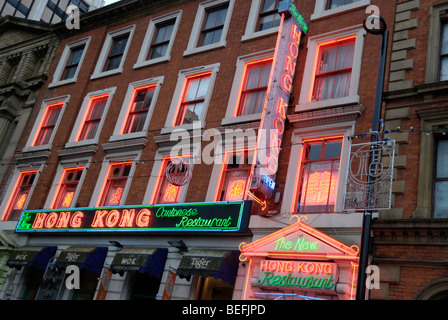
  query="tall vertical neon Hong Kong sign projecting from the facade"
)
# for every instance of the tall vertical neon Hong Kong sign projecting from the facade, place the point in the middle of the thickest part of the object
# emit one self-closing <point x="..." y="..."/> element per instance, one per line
<point x="272" y="125"/>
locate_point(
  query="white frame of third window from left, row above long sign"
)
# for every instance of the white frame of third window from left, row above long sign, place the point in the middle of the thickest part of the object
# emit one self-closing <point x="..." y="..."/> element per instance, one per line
<point x="101" y="181"/>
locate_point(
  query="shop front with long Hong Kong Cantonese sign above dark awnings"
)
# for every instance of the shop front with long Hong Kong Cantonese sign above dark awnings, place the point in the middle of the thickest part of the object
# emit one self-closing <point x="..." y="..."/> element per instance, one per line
<point x="143" y="261"/>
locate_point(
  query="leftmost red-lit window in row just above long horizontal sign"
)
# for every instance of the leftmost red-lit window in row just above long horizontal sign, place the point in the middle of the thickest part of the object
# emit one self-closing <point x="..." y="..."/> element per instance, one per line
<point x="20" y="195"/>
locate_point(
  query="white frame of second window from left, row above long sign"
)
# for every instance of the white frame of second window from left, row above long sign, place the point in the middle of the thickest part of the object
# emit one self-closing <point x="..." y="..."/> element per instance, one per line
<point x="85" y="162"/>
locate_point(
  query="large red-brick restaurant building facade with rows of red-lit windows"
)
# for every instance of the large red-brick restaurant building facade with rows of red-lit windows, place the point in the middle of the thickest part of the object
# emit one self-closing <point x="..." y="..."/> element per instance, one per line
<point x="97" y="152"/>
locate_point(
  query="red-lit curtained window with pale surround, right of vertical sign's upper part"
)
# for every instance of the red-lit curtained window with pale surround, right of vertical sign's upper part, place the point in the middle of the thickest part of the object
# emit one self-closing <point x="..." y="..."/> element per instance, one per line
<point x="332" y="69"/>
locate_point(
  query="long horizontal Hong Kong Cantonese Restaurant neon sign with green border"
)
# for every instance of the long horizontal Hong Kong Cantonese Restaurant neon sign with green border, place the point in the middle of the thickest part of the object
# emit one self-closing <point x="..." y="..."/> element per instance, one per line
<point x="181" y="217"/>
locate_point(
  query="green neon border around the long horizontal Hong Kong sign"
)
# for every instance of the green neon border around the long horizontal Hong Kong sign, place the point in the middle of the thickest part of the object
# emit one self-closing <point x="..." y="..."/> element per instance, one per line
<point x="101" y="230"/>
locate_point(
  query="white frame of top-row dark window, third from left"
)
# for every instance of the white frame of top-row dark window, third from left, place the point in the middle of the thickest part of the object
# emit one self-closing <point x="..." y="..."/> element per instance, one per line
<point x="150" y="33"/>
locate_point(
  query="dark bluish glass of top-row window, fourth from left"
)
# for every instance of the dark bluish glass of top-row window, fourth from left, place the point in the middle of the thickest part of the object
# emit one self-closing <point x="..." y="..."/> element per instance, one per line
<point x="213" y="25"/>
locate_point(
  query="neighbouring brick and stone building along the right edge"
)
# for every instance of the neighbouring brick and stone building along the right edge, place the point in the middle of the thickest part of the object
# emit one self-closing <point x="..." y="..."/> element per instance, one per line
<point x="410" y="239"/>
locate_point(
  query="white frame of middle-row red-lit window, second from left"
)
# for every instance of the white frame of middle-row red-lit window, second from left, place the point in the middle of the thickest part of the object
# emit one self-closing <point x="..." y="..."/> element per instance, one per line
<point x="81" y="117"/>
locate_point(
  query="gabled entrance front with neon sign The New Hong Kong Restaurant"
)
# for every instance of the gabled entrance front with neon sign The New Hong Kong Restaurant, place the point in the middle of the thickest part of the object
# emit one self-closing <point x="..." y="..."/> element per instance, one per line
<point x="299" y="263"/>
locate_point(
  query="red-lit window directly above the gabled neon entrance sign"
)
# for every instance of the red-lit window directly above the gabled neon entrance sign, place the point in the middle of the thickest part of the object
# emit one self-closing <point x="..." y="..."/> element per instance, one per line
<point x="319" y="173"/>
